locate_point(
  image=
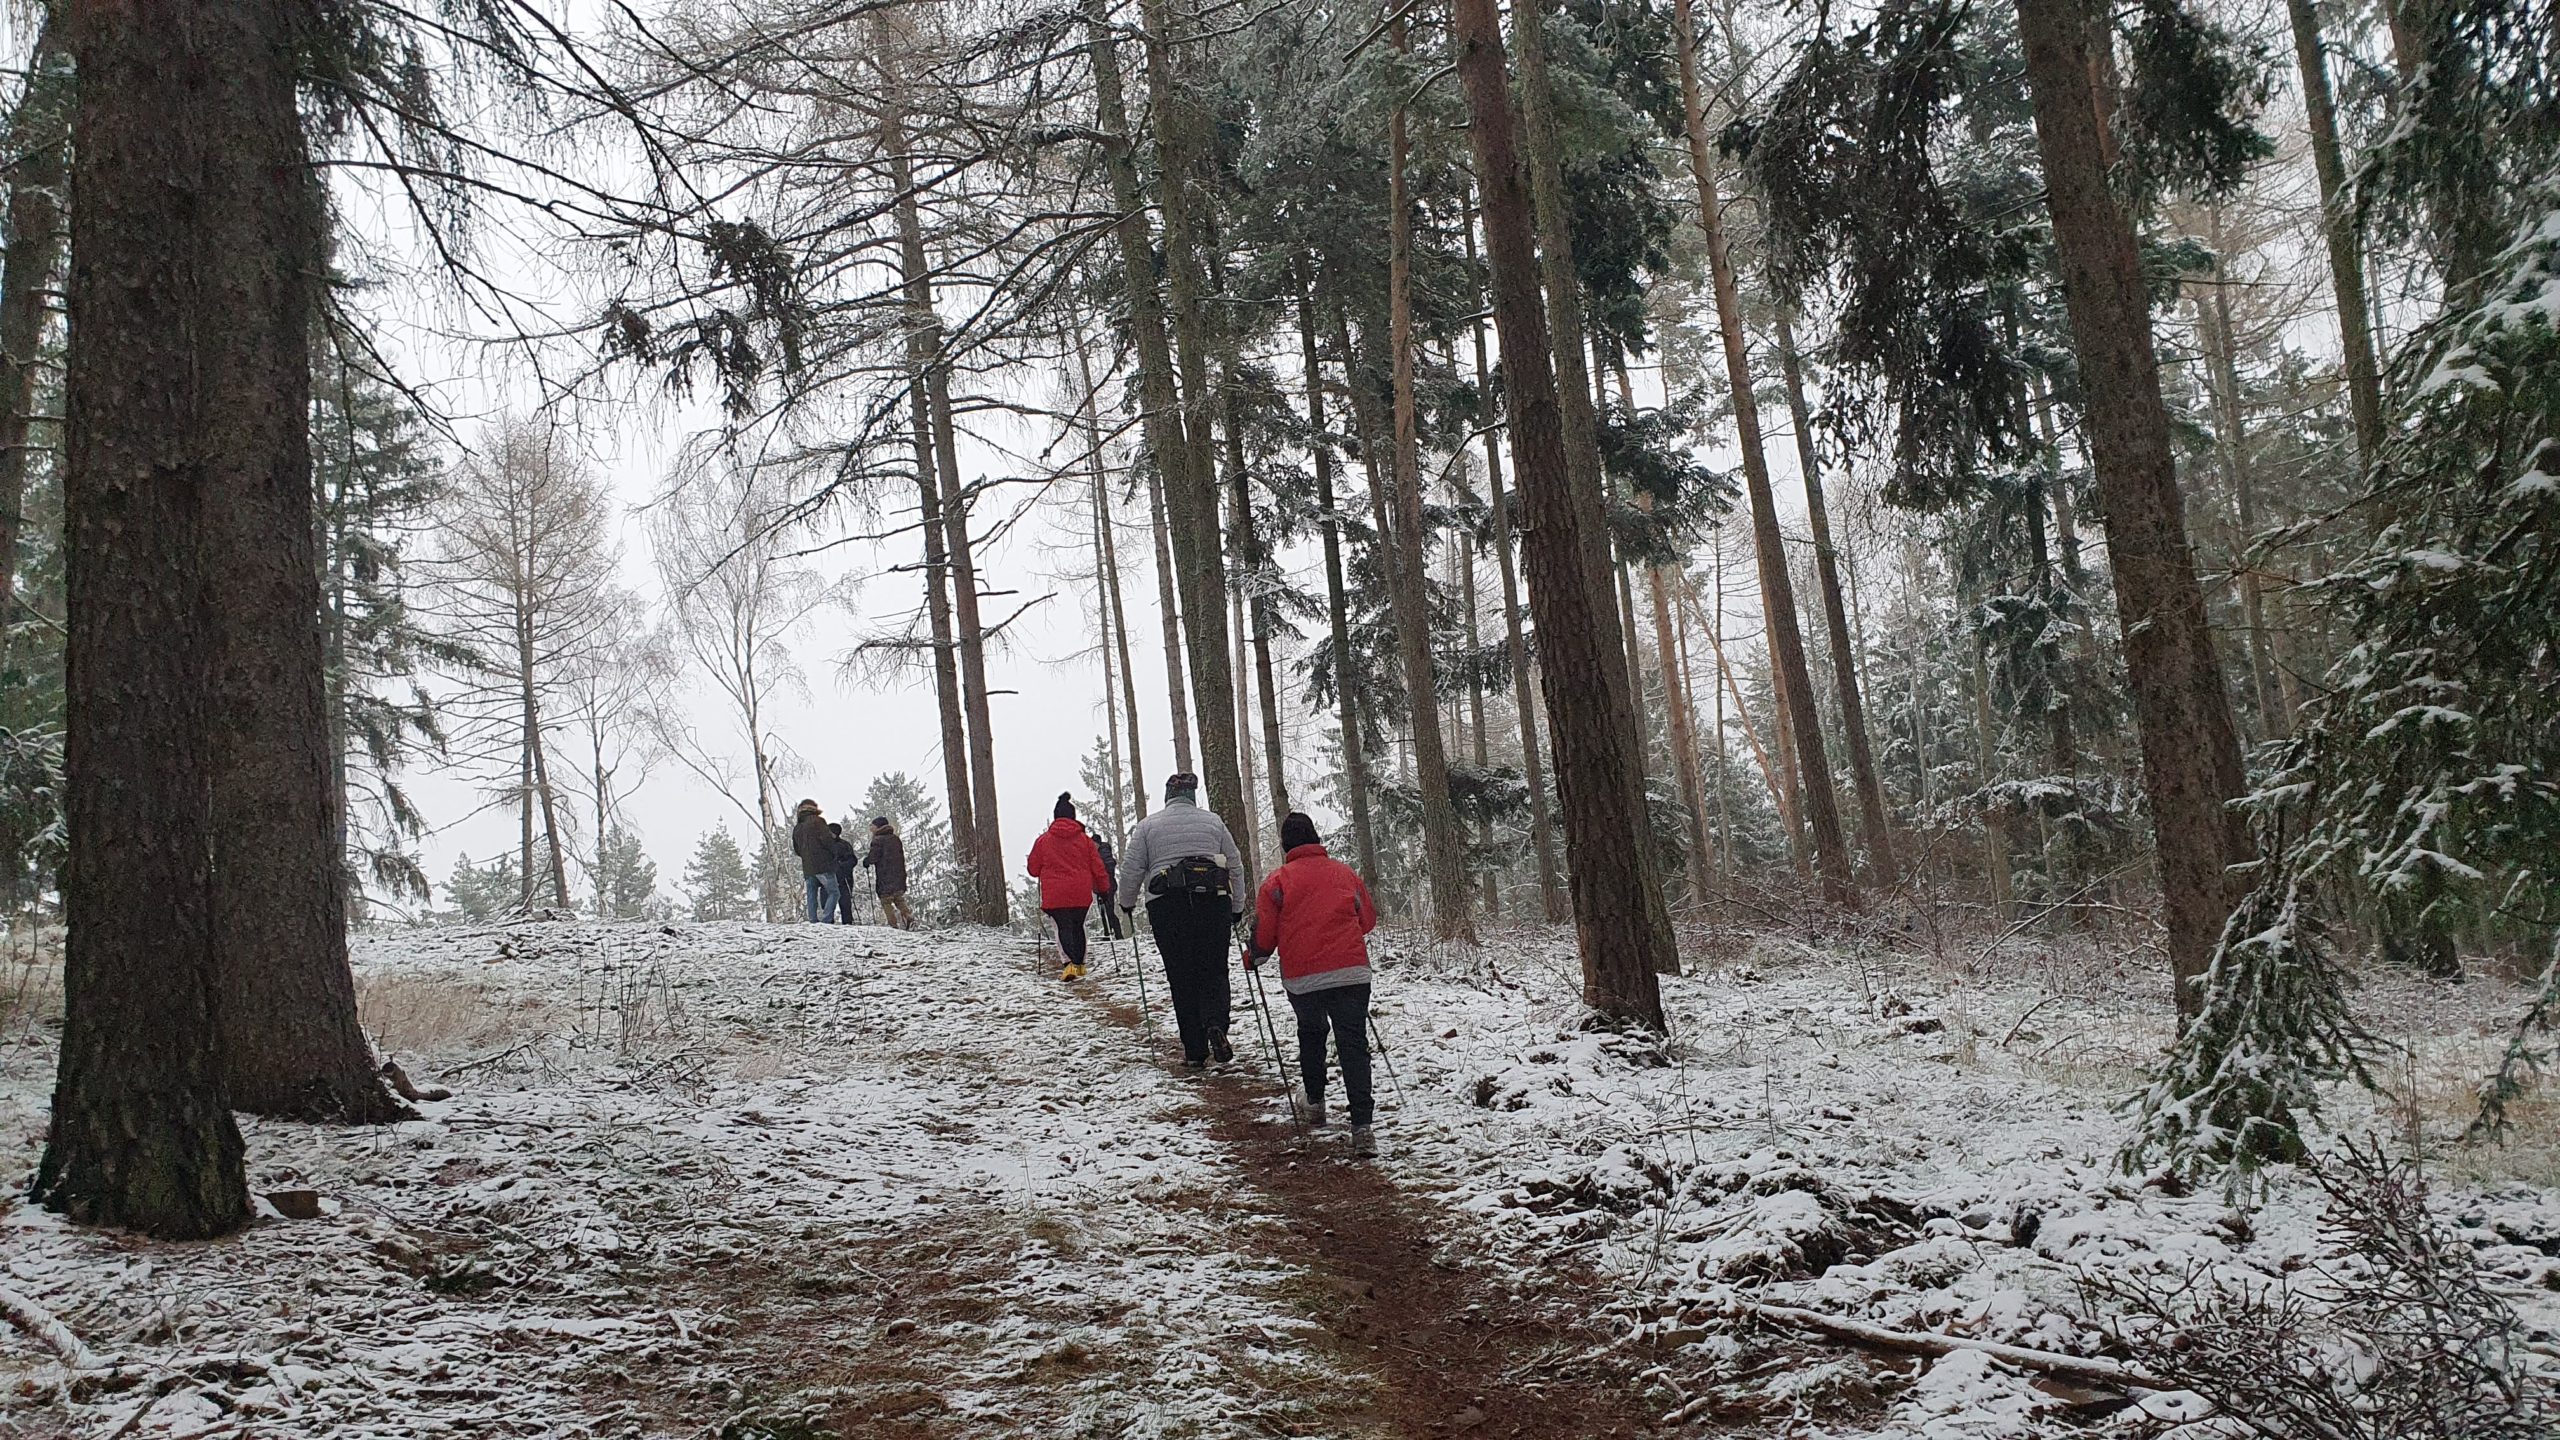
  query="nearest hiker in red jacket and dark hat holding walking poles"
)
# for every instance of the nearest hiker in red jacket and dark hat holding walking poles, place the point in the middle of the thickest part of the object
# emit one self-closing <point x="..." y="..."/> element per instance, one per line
<point x="1317" y="916"/>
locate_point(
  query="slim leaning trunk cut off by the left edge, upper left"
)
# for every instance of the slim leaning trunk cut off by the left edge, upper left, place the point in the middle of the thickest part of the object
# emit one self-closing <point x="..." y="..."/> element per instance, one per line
<point x="40" y="135"/>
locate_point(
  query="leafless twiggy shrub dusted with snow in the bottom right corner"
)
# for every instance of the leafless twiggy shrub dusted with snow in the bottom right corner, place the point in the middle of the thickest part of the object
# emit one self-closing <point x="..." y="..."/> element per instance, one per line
<point x="2392" y="1336"/>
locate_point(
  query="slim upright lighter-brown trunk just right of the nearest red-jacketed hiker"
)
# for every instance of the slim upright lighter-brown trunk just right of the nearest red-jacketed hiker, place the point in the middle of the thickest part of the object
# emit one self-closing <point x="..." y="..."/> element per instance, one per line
<point x="1445" y="852"/>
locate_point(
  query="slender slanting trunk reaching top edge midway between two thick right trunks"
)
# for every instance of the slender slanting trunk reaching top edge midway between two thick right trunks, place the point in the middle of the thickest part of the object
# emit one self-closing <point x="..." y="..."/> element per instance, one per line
<point x="1778" y="588"/>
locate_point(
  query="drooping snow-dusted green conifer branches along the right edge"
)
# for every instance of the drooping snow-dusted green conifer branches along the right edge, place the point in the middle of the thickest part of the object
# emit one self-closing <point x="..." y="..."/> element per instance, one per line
<point x="2423" y="790"/>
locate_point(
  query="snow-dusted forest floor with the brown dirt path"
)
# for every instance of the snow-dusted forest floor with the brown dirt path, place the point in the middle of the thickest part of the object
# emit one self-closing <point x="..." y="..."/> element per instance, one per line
<point x="780" y="1182"/>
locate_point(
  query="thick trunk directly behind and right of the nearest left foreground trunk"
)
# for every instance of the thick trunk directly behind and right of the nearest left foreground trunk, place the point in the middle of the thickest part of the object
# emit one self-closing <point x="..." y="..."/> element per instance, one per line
<point x="285" y="998"/>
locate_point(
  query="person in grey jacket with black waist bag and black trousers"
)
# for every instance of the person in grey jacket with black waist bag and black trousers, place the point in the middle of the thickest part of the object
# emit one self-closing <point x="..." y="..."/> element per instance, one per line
<point x="1192" y="908"/>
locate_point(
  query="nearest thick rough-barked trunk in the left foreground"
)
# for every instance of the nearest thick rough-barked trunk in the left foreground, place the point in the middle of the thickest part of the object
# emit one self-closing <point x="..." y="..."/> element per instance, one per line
<point x="175" y="152"/>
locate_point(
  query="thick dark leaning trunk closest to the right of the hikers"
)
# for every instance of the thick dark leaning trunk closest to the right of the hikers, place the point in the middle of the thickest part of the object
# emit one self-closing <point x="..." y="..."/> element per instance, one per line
<point x="1619" y="916"/>
